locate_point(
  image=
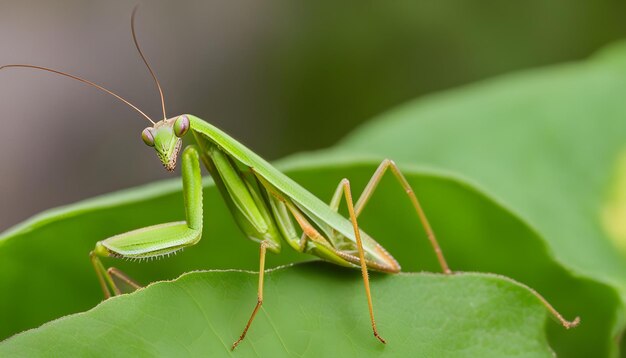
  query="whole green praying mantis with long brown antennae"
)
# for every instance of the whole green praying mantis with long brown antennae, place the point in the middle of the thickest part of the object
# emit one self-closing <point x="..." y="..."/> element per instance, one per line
<point x="267" y="205"/>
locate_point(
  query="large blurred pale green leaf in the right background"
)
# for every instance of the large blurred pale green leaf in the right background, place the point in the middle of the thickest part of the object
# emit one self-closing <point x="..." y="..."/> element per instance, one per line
<point x="547" y="143"/>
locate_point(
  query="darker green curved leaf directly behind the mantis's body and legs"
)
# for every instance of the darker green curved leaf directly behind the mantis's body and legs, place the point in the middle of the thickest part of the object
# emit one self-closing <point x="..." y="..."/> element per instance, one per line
<point x="45" y="268"/>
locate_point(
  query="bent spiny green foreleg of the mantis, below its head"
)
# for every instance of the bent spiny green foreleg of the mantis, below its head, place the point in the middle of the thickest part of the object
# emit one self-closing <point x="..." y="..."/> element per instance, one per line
<point x="157" y="240"/>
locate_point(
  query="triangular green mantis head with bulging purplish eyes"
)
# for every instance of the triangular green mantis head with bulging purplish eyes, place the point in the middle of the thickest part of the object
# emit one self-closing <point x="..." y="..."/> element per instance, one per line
<point x="165" y="136"/>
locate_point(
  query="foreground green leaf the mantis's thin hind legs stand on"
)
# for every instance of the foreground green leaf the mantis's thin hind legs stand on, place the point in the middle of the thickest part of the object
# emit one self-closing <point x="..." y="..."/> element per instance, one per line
<point x="202" y="313"/>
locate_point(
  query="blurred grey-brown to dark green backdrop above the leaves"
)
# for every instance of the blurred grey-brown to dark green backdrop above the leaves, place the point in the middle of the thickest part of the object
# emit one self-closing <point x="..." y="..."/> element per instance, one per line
<point x="282" y="76"/>
